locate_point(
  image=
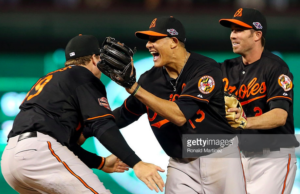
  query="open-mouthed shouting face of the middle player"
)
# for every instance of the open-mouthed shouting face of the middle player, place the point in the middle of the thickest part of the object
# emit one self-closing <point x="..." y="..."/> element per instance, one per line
<point x="161" y="49"/>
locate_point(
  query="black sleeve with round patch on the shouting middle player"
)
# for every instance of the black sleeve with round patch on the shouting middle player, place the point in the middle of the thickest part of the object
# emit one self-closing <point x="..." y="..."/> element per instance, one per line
<point x="199" y="89"/>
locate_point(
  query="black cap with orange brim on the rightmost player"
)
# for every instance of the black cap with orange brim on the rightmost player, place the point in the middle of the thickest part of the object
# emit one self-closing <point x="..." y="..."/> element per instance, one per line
<point x="248" y="18"/>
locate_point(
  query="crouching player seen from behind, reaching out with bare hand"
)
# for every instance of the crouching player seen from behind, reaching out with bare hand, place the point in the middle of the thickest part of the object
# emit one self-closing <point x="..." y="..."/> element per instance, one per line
<point x="37" y="158"/>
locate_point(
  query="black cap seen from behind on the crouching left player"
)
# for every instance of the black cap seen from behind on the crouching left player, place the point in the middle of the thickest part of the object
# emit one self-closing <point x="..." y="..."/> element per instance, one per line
<point x="82" y="45"/>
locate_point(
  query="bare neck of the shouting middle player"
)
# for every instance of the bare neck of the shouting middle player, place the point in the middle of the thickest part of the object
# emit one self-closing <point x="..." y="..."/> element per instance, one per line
<point x="179" y="60"/>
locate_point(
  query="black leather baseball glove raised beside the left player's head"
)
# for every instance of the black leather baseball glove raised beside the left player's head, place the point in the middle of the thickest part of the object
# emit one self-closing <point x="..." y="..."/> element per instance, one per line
<point x="115" y="62"/>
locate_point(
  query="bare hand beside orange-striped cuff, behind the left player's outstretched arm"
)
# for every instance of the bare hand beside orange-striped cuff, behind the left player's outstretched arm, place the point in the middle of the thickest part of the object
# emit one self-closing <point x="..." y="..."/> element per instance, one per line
<point x="114" y="164"/>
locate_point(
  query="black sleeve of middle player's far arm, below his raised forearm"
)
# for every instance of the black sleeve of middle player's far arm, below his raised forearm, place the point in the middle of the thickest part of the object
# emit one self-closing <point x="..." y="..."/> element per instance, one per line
<point x="129" y="112"/>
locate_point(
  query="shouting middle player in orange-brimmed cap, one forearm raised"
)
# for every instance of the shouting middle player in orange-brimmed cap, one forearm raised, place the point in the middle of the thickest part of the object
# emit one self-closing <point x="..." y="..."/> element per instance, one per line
<point x="183" y="94"/>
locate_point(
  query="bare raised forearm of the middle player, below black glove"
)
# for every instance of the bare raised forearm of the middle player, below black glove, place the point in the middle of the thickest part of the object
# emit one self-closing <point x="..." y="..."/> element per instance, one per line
<point x="166" y="109"/>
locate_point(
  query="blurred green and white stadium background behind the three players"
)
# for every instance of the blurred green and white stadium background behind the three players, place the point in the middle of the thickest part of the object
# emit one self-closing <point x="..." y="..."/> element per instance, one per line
<point x="33" y="34"/>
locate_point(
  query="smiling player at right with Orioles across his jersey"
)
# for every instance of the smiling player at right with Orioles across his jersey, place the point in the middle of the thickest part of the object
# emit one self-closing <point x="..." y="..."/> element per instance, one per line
<point x="264" y="85"/>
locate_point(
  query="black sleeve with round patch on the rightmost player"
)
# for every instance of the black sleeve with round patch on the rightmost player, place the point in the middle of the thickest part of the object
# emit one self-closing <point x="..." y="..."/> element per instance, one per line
<point x="280" y="84"/>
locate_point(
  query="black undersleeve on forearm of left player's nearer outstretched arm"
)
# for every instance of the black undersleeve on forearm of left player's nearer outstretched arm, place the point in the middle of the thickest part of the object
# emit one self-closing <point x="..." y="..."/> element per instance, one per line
<point x="113" y="141"/>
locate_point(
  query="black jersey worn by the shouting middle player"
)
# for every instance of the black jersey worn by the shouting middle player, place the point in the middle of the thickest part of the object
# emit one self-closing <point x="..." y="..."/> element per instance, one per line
<point x="198" y="91"/>
